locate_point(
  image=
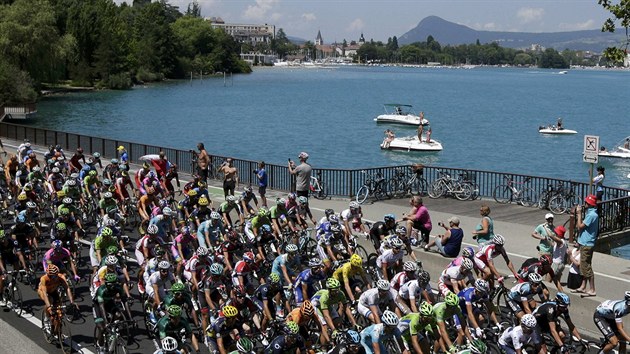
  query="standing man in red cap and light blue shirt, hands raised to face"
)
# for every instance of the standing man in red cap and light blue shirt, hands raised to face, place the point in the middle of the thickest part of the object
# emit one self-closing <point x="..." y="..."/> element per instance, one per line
<point x="587" y="238"/>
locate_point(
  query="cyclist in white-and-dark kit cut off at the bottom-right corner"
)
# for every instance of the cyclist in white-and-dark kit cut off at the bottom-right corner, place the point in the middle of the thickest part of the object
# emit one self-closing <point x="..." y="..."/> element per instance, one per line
<point x="608" y="318"/>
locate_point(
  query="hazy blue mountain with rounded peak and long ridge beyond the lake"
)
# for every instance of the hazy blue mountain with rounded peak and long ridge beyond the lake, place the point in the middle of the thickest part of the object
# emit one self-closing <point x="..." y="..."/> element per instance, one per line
<point x="449" y="33"/>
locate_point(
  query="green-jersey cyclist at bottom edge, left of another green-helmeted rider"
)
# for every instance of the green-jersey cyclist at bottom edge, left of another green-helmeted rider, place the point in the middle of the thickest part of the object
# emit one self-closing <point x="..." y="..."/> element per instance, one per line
<point x="414" y="326"/>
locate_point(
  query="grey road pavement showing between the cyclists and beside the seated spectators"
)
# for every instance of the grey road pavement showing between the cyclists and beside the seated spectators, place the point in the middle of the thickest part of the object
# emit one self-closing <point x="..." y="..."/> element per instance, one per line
<point x="514" y="222"/>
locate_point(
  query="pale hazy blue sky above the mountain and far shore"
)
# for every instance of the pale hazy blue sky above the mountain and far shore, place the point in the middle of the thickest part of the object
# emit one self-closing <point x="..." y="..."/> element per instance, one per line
<point x="378" y="20"/>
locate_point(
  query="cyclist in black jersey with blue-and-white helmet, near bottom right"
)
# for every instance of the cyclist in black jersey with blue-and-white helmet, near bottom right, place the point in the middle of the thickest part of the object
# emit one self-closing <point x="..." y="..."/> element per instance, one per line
<point x="547" y="316"/>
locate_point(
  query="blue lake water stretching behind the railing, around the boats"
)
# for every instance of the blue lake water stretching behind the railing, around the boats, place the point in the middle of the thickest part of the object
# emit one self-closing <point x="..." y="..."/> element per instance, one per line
<point x="486" y="118"/>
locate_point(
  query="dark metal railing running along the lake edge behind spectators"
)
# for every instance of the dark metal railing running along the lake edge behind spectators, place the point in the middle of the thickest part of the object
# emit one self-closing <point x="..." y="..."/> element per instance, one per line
<point x="613" y="211"/>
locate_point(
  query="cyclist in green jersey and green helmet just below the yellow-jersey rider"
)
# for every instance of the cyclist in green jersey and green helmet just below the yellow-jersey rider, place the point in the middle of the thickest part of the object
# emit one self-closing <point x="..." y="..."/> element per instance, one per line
<point x="329" y="303"/>
